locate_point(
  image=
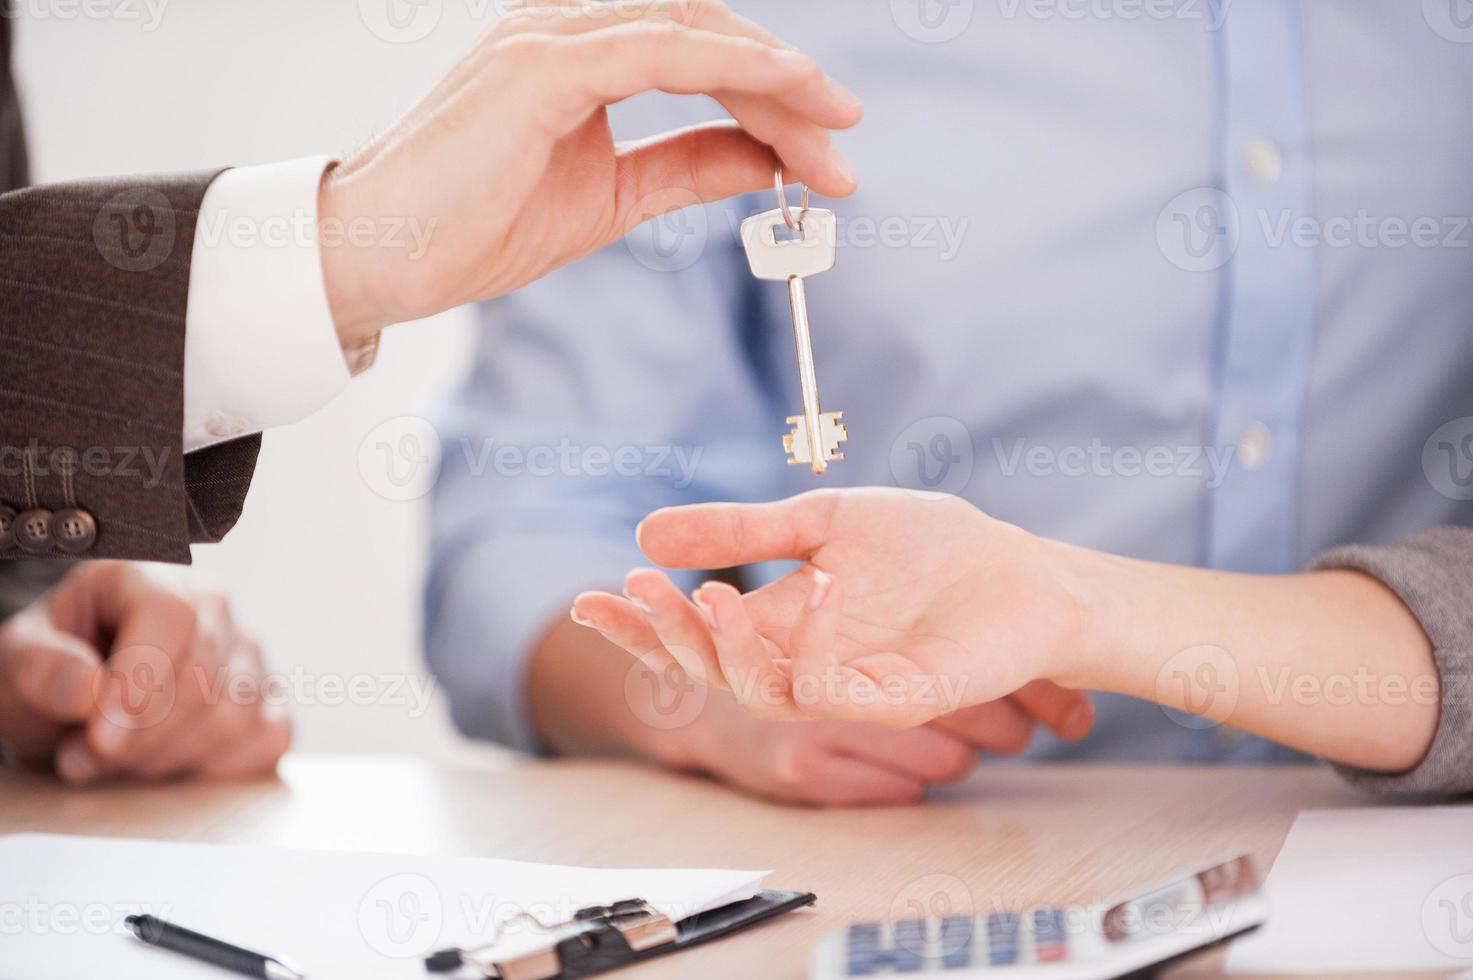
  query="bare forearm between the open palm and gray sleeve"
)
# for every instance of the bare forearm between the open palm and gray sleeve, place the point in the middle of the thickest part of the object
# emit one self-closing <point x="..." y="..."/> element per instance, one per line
<point x="1328" y="662"/>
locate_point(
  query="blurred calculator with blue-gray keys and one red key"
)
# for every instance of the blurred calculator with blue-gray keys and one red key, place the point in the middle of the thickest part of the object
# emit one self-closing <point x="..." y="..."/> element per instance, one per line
<point x="1119" y="939"/>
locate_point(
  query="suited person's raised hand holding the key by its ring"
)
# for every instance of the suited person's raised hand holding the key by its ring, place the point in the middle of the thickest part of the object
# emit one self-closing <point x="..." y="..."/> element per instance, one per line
<point x="512" y="160"/>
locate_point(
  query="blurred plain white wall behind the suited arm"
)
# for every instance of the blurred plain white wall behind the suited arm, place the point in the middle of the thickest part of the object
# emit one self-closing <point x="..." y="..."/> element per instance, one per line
<point x="322" y="568"/>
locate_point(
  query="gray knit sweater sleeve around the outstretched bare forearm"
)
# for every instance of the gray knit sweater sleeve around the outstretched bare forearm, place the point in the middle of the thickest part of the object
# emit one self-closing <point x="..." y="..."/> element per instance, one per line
<point x="1434" y="577"/>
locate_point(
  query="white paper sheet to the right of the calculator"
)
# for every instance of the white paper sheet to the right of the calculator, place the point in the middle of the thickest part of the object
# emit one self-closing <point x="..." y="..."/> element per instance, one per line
<point x="1369" y="891"/>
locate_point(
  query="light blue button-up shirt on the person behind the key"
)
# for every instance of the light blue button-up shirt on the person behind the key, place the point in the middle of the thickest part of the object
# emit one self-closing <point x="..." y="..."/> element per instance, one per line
<point x="1184" y="282"/>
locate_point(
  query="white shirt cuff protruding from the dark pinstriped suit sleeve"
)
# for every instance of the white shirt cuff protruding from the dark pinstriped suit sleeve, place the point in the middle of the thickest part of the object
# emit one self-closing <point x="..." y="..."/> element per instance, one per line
<point x="260" y="344"/>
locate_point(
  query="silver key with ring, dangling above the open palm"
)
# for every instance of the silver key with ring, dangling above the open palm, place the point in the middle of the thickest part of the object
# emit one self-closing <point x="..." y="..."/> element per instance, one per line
<point x="778" y="254"/>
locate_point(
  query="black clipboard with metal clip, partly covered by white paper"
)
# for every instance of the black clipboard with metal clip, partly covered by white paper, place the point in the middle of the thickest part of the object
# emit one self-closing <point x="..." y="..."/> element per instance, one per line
<point x="609" y="937"/>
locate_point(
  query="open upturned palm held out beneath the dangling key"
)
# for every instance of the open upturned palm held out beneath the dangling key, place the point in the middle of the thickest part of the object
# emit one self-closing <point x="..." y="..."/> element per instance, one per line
<point x="907" y="608"/>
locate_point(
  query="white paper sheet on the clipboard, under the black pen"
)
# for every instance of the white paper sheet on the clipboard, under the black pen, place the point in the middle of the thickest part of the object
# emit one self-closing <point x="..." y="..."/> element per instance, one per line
<point x="332" y="914"/>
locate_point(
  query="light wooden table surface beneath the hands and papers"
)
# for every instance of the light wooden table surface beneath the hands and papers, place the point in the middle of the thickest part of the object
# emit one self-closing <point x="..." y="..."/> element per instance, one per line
<point x="1007" y="839"/>
